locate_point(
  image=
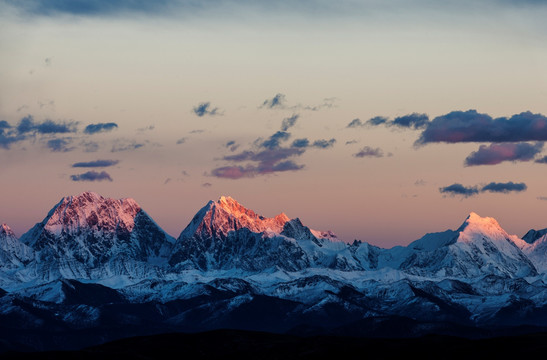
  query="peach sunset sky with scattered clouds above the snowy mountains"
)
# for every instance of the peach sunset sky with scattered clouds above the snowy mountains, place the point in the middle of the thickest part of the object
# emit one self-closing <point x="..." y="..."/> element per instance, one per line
<point x="378" y="120"/>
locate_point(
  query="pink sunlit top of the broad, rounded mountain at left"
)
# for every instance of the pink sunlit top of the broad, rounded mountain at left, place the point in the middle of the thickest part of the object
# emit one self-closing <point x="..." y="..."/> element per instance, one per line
<point x="91" y="210"/>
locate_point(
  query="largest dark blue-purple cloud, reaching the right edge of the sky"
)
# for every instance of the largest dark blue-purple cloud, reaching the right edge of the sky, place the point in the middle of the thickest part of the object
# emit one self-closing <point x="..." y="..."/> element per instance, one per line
<point x="471" y="126"/>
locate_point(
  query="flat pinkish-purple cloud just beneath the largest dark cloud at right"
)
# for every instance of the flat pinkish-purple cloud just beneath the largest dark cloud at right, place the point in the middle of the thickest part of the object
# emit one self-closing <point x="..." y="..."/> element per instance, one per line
<point x="497" y="153"/>
